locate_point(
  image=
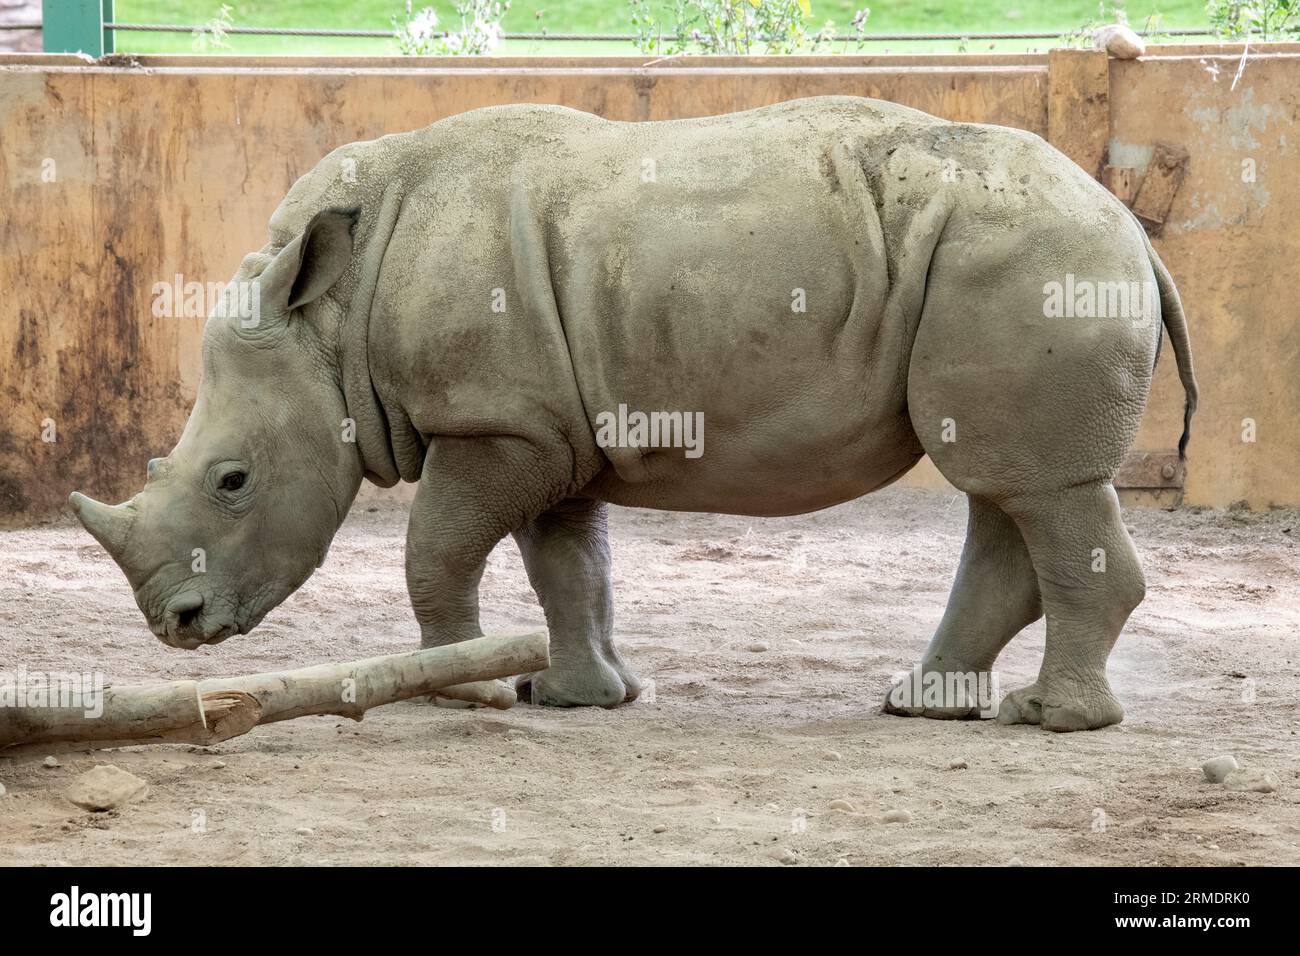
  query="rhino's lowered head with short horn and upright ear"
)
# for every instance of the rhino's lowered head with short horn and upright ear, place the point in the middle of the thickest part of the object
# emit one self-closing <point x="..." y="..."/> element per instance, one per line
<point x="245" y="508"/>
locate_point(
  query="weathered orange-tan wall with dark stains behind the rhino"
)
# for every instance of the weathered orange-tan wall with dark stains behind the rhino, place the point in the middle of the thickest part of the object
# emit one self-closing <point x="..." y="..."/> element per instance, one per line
<point x="115" y="179"/>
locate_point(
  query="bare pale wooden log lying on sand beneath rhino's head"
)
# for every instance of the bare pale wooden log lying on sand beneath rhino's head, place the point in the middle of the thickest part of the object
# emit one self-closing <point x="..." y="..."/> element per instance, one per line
<point x="214" y="711"/>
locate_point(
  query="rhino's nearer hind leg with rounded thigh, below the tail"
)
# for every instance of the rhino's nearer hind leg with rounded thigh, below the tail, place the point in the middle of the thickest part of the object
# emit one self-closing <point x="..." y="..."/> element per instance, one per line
<point x="1034" y="413"/>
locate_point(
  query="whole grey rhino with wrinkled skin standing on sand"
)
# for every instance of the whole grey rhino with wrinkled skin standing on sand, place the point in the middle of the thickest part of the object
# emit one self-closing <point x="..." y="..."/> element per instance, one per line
<point x="656" y="266"/>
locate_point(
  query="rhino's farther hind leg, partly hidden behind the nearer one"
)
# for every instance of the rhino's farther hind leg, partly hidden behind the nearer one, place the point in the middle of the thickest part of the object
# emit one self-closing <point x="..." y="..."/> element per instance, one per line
<point x="995" y="596"/>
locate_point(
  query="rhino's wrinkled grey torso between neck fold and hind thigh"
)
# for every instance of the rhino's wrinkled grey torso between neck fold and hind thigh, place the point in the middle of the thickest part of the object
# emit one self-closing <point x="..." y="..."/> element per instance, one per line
<point x="729" y="266"/>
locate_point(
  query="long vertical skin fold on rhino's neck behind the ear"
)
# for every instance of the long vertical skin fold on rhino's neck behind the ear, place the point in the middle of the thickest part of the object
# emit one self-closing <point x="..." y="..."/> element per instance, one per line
<point x="374" y="440"/>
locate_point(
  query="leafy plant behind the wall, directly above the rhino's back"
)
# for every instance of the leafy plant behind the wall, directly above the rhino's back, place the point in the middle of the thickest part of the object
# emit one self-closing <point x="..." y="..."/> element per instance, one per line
<point x="735" y="27"/>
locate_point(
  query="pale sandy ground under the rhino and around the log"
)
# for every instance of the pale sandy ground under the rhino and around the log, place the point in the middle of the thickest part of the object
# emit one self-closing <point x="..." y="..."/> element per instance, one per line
<point x="742" y="752"/>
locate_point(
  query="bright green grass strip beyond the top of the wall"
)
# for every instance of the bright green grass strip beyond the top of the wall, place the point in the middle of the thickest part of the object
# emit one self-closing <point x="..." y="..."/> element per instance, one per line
<point x="612" y="16"/>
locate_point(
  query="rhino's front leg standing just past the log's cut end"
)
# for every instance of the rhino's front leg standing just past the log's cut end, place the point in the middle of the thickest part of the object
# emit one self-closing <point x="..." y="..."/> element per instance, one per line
<point x="567" y="556"/>
